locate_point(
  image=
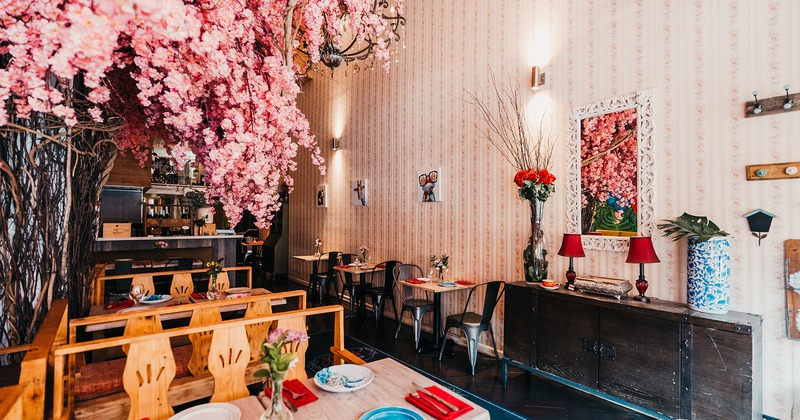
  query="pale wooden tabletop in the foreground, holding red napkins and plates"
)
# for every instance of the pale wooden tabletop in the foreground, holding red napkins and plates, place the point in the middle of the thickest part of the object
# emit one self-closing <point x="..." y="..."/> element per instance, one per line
<point x="389" y="388"/>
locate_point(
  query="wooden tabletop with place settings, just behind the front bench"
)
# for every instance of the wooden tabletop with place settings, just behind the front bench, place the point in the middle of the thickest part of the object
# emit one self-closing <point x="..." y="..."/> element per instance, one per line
<point x="100" y="310"/>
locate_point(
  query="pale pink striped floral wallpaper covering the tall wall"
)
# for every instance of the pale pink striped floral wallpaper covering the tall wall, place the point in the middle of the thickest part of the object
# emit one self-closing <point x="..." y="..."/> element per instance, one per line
<point x="703" y="58"/>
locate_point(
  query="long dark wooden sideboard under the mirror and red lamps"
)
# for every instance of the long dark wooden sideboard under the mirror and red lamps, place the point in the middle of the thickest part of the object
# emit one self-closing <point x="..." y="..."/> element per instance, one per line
<point x="660" y="356"/>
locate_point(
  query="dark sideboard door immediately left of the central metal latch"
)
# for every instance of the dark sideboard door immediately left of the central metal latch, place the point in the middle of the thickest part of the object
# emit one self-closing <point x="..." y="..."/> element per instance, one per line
<point x="567" y="340"/>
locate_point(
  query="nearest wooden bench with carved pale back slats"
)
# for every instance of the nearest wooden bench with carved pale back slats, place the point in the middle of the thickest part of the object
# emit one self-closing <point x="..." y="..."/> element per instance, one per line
<point x="228" y="353"/>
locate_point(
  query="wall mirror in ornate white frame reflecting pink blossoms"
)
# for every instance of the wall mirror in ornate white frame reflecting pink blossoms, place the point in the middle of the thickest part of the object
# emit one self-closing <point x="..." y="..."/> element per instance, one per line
<point x="610" y="171"/>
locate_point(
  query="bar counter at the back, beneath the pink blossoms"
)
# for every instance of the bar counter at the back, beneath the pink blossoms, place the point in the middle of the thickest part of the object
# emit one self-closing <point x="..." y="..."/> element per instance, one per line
<point x="203" y="247"/>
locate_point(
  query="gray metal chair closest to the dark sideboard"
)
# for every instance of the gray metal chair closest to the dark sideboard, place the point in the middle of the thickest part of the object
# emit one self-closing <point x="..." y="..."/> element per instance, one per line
<point x="473" y="324"/>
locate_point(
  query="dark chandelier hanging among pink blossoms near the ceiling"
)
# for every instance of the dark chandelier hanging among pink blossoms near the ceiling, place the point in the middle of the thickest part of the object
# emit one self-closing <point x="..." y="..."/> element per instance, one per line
<point x="333" y="55"/>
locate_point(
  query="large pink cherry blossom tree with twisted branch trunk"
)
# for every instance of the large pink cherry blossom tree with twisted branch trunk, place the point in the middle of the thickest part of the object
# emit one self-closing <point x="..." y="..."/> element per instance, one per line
<point x="216" y="77"/>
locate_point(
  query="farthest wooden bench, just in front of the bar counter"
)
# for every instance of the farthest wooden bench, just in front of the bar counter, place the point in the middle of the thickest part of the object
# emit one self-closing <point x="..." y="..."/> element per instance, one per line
<point x="180" y="278"/>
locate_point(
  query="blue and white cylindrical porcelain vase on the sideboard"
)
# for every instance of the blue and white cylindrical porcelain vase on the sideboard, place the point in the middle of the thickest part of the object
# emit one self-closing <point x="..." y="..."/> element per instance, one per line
<point x="709" y="272"/>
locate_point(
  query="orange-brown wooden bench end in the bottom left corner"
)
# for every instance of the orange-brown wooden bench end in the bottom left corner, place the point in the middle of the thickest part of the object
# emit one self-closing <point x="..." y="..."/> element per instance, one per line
<point x="36" y="369"/>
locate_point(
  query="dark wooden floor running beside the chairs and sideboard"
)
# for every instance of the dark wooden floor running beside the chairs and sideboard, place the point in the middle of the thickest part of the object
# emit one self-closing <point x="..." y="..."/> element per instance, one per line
<point x="528" y="395"/>
